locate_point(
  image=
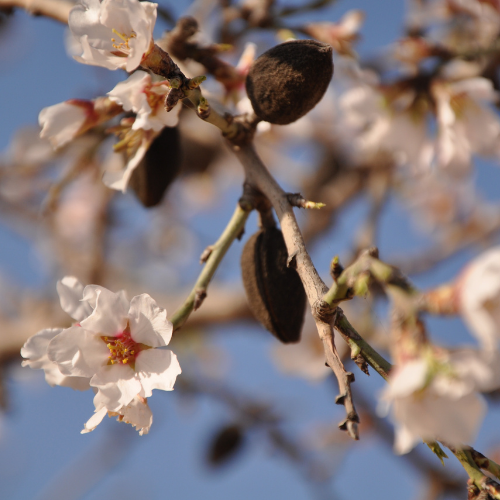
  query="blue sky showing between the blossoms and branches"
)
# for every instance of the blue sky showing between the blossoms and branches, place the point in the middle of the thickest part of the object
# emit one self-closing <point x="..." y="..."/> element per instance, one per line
<point x="41" y="450"/>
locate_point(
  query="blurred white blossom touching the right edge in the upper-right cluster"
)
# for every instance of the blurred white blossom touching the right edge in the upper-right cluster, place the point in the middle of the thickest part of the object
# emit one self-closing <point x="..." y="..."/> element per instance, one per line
<point x="466" y="125"/>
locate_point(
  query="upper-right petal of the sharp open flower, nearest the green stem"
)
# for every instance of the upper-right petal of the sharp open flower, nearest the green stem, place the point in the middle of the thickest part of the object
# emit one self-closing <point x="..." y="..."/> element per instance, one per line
<point x="148" y="322"/>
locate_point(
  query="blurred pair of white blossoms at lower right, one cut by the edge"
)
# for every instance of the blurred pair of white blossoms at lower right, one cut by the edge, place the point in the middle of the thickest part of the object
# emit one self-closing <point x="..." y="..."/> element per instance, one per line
<point x="434" y="393"/>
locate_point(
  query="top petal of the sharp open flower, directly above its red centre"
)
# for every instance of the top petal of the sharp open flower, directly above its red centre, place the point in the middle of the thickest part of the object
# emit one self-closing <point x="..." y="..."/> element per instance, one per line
<point x="110" y="311"/>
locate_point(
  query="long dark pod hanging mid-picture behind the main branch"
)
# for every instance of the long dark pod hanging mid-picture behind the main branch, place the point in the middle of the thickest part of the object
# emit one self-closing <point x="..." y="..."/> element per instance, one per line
<point x="274" y="291"/>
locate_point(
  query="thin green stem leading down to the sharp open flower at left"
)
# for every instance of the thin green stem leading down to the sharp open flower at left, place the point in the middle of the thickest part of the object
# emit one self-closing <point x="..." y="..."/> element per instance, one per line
<point x="218" y="250"/>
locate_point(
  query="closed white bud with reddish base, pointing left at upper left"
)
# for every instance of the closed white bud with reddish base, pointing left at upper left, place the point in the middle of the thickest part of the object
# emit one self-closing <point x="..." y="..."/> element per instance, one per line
<point x="62" y="122"/>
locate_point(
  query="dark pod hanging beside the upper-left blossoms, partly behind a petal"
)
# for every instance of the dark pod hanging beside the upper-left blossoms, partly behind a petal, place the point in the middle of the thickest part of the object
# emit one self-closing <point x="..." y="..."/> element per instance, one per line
<point x="158" y="168"/>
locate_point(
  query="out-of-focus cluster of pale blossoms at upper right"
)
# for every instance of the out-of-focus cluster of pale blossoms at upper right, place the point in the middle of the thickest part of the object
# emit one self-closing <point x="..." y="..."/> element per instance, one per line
<point x="393" y="119"/>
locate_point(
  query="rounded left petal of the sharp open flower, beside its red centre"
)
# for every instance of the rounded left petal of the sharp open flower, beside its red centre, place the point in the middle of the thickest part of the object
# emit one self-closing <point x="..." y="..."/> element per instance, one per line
<point x="78" y="352"/>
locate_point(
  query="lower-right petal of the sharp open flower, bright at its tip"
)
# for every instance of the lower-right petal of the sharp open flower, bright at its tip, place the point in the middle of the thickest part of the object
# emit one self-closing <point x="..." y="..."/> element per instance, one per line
<point x="157" y="369"/>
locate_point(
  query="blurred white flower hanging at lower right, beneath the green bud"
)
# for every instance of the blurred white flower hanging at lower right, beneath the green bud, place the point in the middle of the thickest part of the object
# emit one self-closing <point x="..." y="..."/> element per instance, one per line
<point x="436" y="399"/>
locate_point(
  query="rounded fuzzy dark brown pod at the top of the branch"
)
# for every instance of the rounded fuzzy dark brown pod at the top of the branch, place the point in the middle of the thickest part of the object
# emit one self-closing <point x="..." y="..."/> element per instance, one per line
<point x="287" y="81"/>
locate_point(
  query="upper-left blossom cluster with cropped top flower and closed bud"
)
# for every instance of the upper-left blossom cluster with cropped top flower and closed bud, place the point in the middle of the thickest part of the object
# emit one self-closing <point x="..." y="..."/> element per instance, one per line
<point x="115" y="34"/>
